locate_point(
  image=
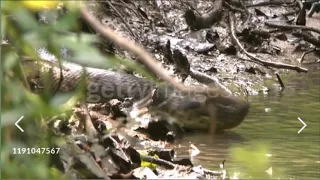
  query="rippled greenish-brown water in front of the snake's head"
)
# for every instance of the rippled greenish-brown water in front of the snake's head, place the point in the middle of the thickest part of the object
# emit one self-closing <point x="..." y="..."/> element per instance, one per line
<point x="272" y="121"/>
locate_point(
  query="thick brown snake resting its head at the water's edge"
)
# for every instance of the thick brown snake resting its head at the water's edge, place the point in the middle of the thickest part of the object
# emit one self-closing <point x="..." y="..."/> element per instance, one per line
<point x="194" y="110"/>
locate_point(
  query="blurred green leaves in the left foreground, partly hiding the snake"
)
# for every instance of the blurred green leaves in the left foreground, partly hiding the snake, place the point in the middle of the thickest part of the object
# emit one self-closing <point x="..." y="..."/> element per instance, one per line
<point x="25" y="34"/>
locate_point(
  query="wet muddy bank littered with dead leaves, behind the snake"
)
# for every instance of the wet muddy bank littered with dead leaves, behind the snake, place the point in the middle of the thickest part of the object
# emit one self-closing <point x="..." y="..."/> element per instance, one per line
<point x="201" y="33"/>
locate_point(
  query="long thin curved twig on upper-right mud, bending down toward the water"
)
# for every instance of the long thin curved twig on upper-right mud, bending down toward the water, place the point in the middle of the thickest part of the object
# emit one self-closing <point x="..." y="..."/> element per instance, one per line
<point x="252" y="56"/>
